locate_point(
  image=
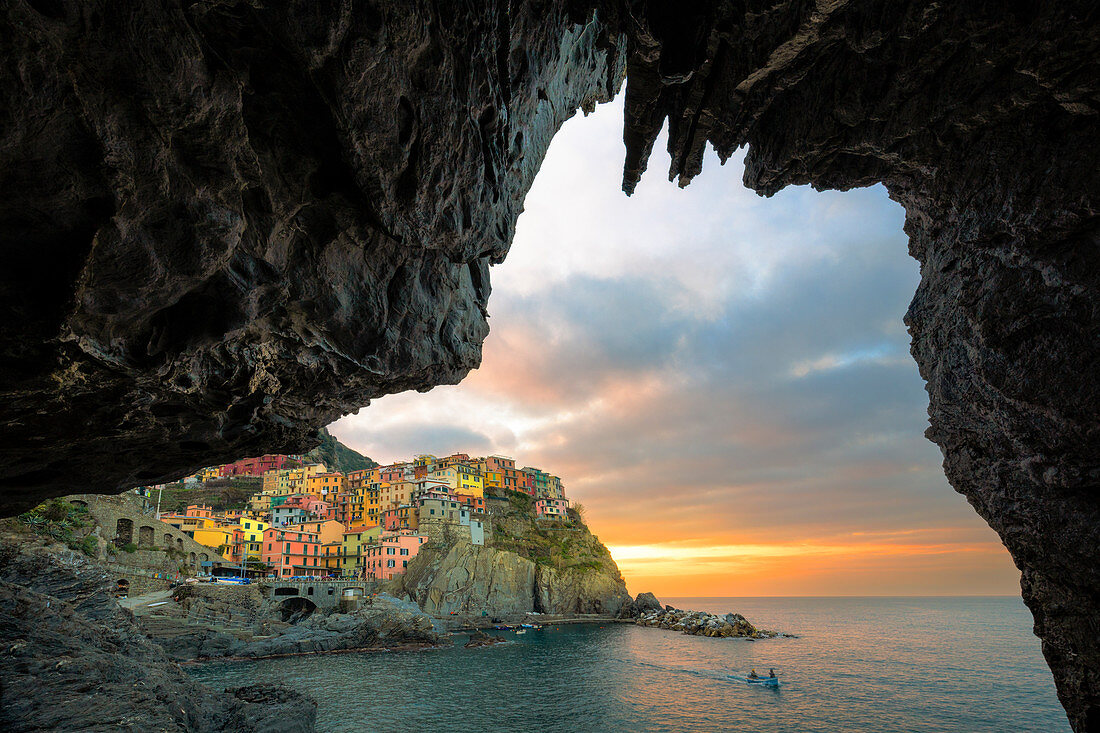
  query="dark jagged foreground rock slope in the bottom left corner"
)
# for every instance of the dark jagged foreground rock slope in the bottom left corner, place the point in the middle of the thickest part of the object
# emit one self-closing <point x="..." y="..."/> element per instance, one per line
<point x="74" y="661"/>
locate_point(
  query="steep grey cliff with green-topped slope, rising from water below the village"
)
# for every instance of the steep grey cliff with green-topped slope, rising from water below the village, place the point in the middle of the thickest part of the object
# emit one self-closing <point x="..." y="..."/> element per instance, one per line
<point x="552" y="567"/>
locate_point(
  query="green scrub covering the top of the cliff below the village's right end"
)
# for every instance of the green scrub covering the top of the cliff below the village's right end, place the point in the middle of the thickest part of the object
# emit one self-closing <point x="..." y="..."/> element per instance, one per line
<point x="563" y="544"/>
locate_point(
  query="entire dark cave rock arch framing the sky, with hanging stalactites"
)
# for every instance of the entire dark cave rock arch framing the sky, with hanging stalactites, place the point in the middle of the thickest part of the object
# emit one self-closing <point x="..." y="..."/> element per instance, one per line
<point x="226" y="224"/>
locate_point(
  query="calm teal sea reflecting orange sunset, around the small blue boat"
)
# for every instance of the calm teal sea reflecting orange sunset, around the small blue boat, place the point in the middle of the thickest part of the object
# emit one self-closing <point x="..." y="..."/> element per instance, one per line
<point x="860" y="664"/>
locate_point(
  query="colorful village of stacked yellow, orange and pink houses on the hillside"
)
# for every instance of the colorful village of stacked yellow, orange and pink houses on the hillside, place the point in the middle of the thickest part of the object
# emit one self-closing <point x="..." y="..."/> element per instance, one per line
<point x="311" y="522"/>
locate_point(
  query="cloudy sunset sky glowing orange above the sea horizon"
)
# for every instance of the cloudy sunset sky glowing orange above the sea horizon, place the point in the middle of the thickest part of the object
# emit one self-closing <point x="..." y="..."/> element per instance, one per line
<point x="723" y="381"/>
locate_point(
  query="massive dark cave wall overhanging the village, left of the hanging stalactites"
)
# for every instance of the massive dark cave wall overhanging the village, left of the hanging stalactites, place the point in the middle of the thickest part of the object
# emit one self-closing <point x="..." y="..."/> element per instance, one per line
<point x="229" y="224"/>
